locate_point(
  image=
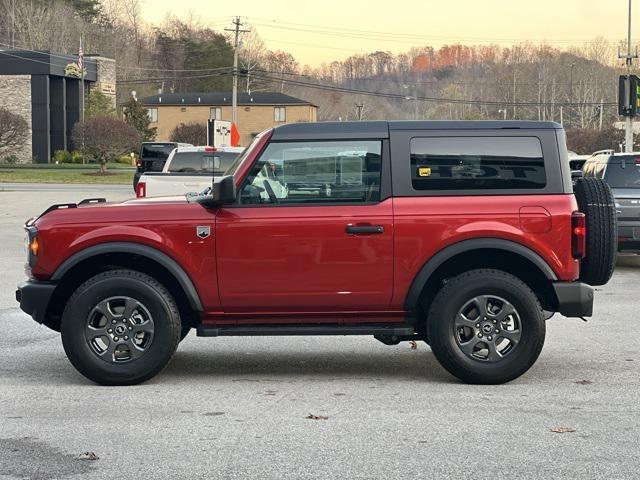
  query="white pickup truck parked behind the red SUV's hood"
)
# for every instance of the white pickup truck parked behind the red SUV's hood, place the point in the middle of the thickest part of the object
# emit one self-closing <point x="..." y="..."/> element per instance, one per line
<point x="187" y="169"/>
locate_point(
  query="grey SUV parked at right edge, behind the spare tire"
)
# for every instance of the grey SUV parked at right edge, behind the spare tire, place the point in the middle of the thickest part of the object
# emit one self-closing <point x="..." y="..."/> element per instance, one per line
<point x="622" y="172"/>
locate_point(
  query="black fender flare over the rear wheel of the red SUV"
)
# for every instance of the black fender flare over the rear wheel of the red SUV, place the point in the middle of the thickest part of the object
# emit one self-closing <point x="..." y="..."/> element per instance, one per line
<point x="463" y="246"/>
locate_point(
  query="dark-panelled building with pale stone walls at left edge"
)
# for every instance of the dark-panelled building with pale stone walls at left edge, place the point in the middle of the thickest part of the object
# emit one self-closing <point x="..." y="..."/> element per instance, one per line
<point x="44" y="88"/>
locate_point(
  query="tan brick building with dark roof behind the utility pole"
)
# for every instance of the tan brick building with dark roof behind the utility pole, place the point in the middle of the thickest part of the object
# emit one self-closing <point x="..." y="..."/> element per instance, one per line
<point x="256" y="112"/>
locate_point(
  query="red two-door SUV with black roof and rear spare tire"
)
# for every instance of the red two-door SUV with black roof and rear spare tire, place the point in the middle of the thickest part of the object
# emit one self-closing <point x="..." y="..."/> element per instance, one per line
<point x="466" y="235"/>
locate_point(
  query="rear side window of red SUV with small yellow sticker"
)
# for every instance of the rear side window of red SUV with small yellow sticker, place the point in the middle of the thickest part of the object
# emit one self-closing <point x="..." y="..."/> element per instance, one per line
<point x="474" y="163"/>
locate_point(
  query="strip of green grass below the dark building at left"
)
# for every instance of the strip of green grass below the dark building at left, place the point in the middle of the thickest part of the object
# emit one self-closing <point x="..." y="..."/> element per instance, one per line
<point x="37" y="175"/>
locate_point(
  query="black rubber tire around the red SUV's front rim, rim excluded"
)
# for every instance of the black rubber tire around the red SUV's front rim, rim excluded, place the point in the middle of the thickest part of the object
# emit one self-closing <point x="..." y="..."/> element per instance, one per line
<point x="129" y="283"/>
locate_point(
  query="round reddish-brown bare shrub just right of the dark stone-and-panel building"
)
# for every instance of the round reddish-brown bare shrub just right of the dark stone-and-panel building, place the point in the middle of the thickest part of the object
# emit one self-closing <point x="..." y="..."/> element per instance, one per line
<point x="105" y="139"/>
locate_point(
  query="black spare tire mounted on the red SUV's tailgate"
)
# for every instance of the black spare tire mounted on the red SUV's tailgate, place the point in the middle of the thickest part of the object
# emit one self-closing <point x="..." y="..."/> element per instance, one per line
<point x="596" y="201"/>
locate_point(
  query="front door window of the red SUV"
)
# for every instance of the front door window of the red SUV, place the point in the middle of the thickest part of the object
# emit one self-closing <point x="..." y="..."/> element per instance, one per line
<point x="315" y="173"/>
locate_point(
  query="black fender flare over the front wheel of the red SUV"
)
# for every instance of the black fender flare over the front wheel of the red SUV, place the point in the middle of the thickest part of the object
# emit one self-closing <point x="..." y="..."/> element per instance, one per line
<point x="136" y="249"/>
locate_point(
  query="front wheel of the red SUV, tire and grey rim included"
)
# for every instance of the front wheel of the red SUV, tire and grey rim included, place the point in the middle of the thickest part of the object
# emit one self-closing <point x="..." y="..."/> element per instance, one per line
<point x="120" y="327"/>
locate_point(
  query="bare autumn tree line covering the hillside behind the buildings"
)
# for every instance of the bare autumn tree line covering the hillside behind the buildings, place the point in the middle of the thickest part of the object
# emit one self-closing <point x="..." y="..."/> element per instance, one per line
<point x="576" y="86"/>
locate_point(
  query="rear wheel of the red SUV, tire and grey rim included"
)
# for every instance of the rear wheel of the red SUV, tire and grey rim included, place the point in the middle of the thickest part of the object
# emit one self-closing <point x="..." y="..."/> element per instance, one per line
<point x="486" y="326"/>
